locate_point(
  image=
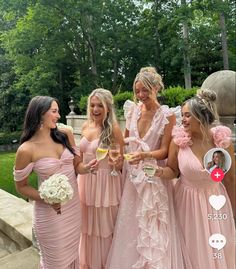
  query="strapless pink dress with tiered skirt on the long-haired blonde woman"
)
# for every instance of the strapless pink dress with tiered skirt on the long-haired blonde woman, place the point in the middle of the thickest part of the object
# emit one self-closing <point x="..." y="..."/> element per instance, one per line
<point x="100" y="196"/>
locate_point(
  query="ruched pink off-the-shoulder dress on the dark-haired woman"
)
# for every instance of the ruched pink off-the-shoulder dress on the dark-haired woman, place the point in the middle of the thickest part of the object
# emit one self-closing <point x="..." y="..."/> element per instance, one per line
<point x="57" y="235"/>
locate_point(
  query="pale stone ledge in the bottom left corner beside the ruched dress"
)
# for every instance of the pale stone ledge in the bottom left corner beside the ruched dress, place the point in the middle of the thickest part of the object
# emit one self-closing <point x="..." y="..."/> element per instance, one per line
<point x="16" y="249"/>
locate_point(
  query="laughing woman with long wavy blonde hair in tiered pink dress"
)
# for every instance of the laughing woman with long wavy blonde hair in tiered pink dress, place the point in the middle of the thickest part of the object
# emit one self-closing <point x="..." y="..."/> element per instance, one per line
<point x="100" y="192"/>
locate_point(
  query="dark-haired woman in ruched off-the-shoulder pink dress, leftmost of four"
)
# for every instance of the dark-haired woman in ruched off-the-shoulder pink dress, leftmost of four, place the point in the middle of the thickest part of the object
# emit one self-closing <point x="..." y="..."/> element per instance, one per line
<point x="47" y="151"/>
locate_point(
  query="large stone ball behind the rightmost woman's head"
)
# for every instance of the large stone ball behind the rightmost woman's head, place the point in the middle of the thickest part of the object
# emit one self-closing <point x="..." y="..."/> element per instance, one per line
<point x="223" y="83"/>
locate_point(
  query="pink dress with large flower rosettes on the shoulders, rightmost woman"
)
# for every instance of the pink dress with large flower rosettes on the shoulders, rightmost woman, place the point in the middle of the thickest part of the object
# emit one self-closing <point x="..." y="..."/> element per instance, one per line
<point x="192" y="206"/>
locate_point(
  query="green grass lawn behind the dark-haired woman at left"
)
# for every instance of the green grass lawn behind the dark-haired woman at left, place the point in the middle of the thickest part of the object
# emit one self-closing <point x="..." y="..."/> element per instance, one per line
<point x="7" y="160"/>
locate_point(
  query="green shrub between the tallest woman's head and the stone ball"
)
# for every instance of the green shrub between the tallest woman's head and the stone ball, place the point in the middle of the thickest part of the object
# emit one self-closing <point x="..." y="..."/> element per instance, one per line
<point x="175" y="96"/>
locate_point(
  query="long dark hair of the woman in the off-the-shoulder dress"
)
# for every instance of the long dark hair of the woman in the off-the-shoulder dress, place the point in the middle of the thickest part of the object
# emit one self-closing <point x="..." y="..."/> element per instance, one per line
<point x="37" y="107"/>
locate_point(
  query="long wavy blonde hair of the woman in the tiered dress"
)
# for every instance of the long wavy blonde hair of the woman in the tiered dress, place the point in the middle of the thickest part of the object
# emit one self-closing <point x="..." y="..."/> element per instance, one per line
<point x="109" y="119"/>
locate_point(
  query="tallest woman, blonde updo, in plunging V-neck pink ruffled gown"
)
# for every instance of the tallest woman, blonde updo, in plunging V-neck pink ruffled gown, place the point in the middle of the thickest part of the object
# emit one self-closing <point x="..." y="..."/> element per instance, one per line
<point x="145" y="234"/>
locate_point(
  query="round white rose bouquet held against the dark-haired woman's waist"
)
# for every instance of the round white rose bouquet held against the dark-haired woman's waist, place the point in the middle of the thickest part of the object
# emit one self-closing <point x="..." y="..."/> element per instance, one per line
<point x="56" y="189"/>
